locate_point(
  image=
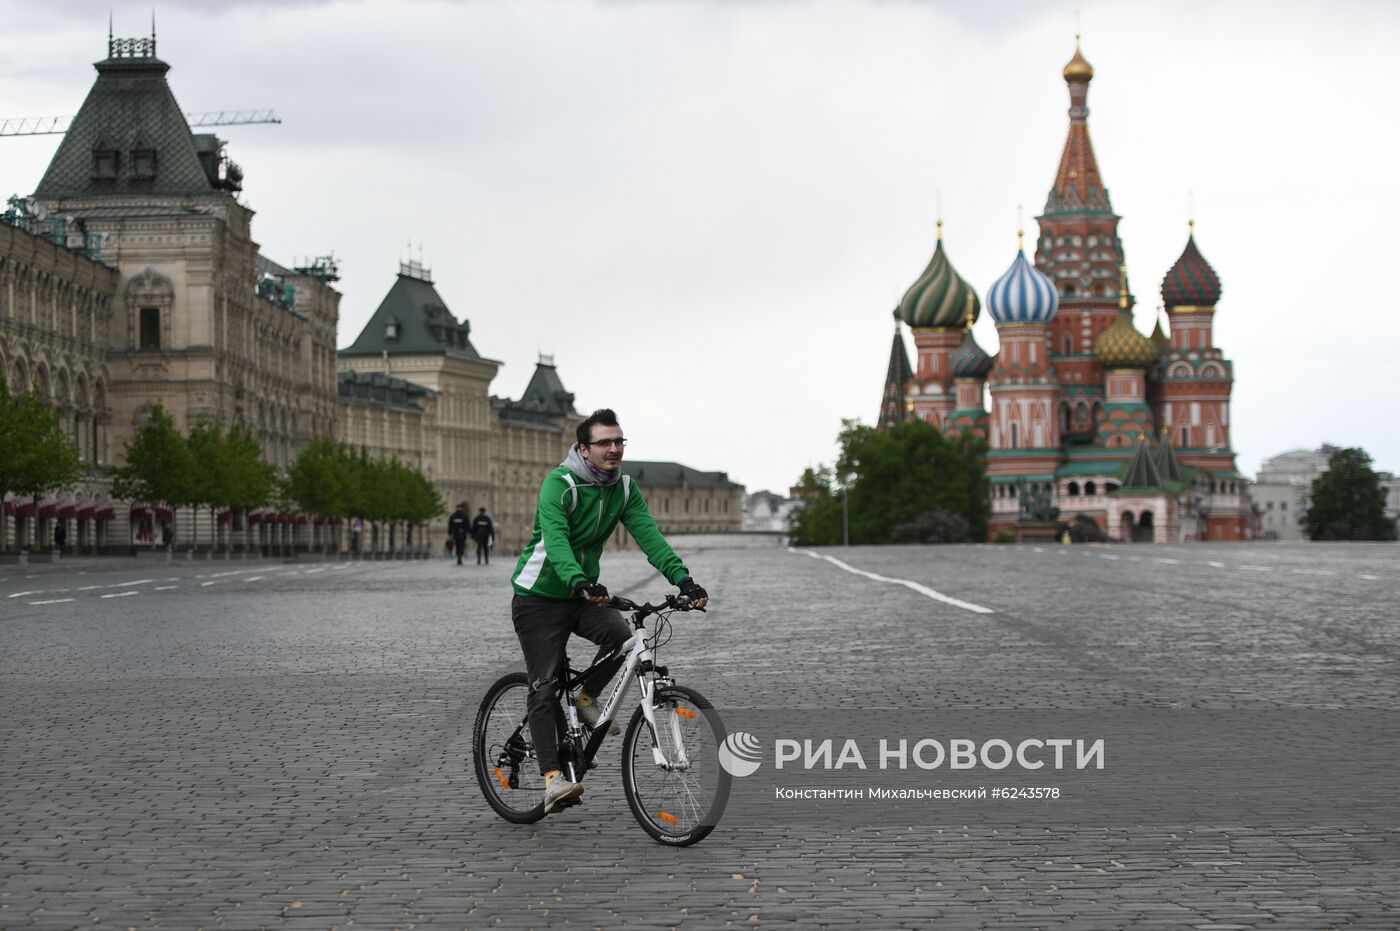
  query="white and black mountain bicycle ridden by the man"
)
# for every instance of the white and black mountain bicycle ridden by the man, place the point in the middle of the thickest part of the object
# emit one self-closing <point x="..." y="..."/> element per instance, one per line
<point x="671" y="772"/>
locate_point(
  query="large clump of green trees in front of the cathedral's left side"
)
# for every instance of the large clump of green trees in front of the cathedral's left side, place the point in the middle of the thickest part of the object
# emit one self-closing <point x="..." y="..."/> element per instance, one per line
<point x="911" y="478"/>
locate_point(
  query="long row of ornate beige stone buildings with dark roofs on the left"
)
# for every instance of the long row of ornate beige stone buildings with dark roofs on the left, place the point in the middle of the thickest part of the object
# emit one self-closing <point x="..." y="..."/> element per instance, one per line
<point x="131" y="278"/>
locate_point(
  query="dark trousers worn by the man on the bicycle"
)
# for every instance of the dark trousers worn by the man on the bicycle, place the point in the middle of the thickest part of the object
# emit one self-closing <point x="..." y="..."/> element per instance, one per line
<point x="544" y="626"/>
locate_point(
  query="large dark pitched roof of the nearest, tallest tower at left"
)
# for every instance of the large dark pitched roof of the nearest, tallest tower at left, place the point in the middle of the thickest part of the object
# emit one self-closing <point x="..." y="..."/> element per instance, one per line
<point x="131" y="108"/>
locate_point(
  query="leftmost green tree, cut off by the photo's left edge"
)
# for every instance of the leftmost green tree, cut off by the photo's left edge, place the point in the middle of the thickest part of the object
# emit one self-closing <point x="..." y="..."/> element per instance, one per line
<point x="36" y="456"/>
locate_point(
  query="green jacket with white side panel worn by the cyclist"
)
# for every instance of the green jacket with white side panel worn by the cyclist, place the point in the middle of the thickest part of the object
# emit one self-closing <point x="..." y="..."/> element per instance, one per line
<point x="573" y="521"/>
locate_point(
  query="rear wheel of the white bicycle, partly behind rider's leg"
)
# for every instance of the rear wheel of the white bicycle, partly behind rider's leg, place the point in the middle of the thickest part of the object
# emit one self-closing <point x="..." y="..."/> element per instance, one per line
<point x="505" y="752"/>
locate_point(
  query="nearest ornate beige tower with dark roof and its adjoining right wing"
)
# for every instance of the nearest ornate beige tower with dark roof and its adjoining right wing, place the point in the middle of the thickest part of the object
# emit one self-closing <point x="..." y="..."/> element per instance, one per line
<point x="201" y="321"/>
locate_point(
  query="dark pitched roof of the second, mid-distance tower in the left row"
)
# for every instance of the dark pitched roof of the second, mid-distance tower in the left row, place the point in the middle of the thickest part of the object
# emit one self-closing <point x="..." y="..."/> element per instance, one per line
<point x="422" y="325"/>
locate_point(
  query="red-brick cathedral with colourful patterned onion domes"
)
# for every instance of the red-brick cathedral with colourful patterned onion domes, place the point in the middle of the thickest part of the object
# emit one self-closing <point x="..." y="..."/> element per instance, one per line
<point x="1088" y="415"/>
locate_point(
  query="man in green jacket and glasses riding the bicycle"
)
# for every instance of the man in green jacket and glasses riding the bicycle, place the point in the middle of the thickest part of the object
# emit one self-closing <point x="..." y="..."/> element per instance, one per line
<point x="556" y="582"/>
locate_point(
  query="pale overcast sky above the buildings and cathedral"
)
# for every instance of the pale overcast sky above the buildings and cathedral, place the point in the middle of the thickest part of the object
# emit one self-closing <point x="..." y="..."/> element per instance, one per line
<point x="708" y="211"/>
